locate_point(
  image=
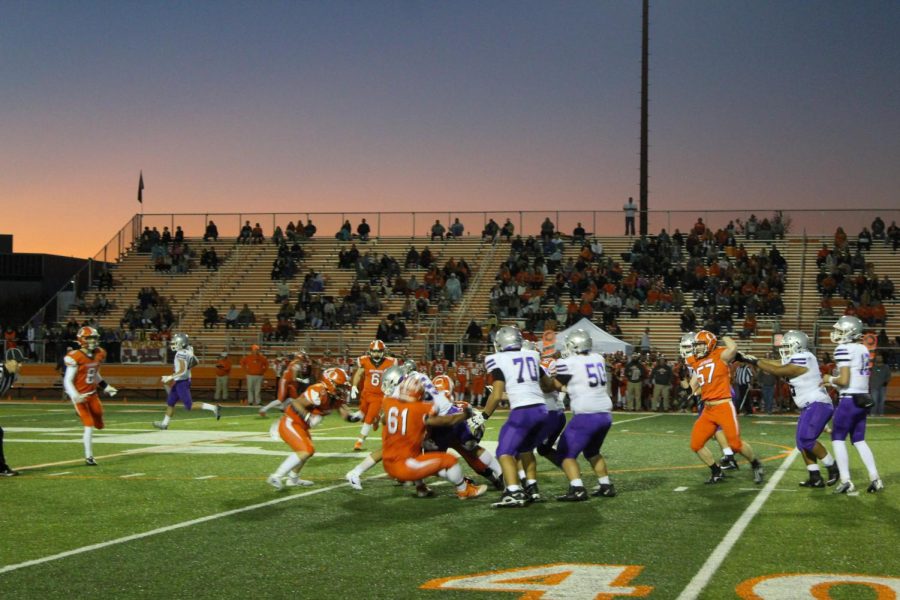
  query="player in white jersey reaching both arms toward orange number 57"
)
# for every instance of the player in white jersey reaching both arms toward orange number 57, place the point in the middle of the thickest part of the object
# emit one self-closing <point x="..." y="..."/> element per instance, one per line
<point x="801" y="368"/>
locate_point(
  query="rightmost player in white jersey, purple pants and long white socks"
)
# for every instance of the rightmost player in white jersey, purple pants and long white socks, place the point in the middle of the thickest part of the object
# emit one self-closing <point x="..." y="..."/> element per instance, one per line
<point x="854" y="364"/>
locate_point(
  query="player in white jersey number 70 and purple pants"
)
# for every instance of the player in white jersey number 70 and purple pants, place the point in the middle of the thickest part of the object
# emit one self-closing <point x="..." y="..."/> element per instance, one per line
<point x="516" y="372"/>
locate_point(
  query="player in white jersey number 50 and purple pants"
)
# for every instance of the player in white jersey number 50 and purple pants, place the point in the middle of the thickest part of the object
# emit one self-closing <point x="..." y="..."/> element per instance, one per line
<point x="582" y="375"/>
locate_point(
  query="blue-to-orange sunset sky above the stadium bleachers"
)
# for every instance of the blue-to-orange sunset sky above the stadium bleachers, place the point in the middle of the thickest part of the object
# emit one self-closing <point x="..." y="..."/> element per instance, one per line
<point x="445" y="106"/>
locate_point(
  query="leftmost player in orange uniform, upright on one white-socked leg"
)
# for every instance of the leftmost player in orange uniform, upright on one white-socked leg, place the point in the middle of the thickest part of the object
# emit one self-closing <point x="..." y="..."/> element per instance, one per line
<point x="81" y="381"/>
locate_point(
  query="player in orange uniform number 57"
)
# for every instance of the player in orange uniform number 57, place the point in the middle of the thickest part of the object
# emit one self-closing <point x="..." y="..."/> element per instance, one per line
<point x="711" y="376"/>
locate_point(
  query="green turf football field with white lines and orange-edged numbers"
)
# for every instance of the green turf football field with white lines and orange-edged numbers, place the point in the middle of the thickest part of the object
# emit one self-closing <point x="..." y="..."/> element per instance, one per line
<point x="186" y="513"/>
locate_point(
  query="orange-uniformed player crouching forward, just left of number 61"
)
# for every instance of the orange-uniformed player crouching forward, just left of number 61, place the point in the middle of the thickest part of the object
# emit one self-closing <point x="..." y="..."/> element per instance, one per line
<point x="302" y="414"/>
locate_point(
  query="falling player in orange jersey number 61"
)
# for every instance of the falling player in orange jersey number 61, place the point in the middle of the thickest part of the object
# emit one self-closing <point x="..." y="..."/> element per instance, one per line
<point x="406" y="418"/>
